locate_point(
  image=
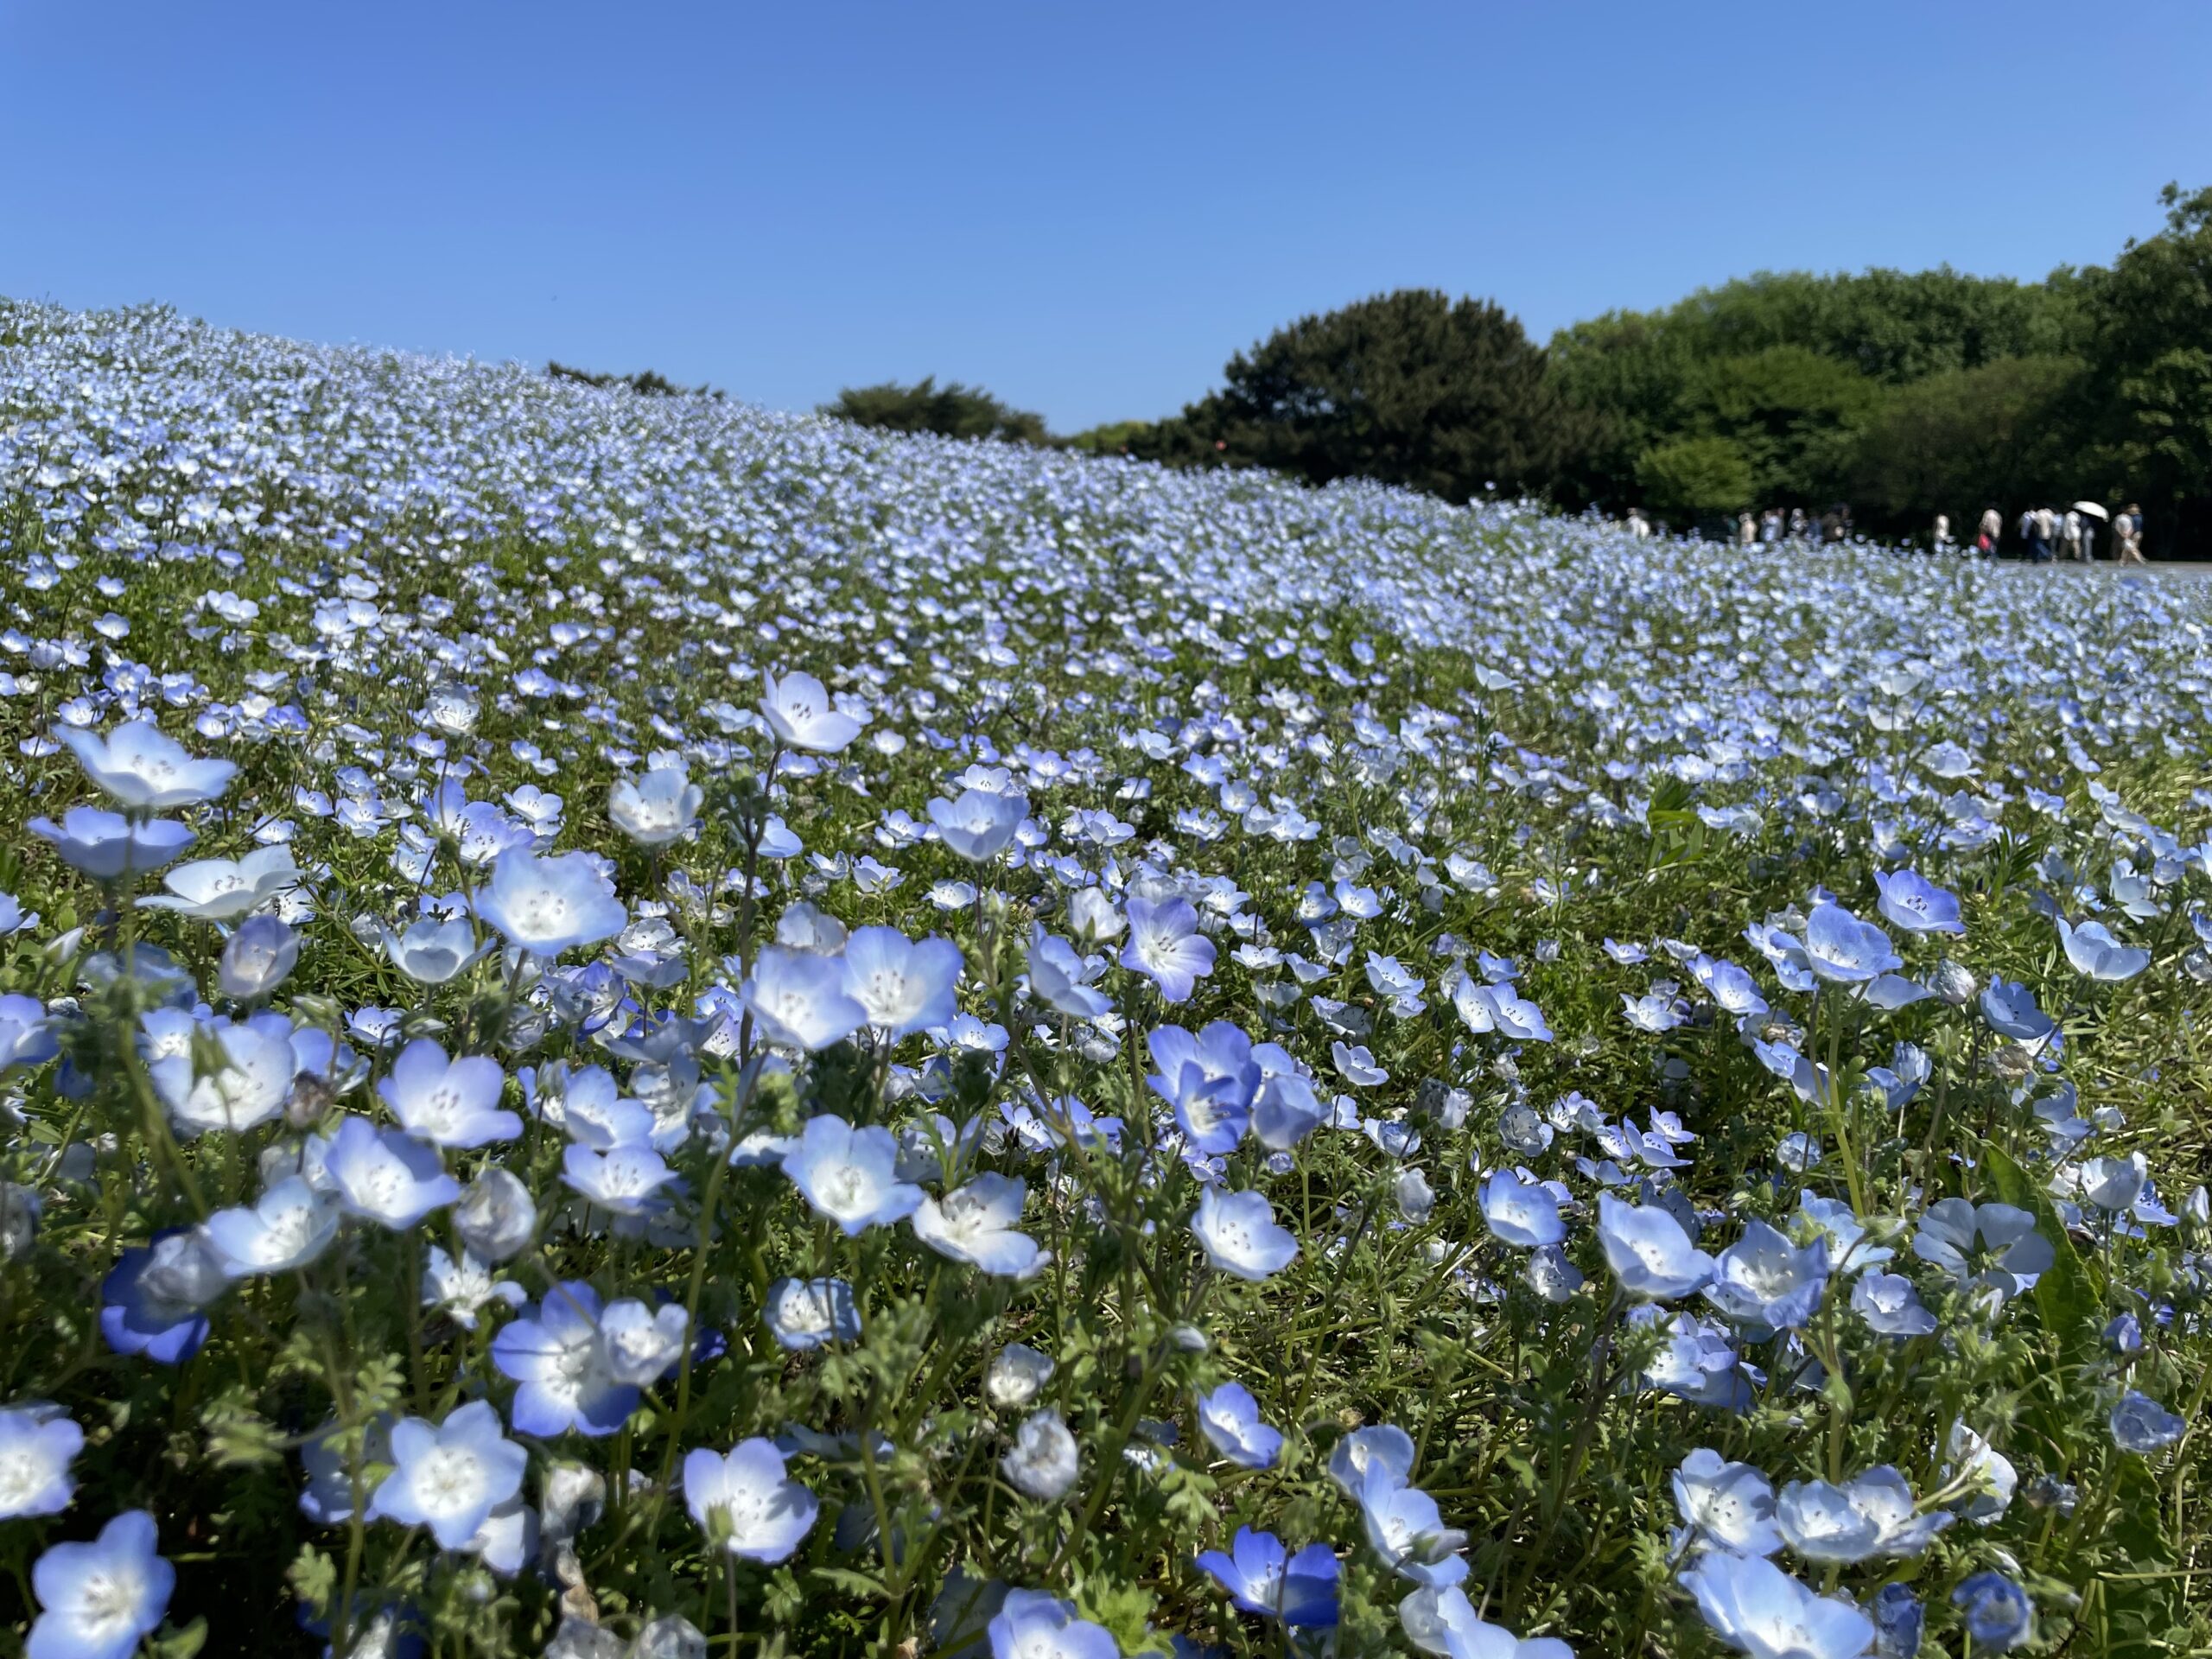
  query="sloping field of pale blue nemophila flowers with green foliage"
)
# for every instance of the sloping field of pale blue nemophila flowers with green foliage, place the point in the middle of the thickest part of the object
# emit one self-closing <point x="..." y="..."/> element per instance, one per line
<point x="640" y="1027"/>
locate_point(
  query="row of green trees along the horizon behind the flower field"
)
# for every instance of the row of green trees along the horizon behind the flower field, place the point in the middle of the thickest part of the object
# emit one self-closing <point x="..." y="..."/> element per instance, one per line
<point x="1901" y="395"/>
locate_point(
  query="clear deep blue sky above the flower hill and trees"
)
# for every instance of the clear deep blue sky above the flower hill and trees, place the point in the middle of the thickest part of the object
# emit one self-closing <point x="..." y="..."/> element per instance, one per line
<point x="1081" y="207"/>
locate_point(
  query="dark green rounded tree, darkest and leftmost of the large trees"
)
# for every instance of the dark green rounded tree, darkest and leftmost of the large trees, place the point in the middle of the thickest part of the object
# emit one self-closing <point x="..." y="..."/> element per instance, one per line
<point x="1410" y="388"/>
